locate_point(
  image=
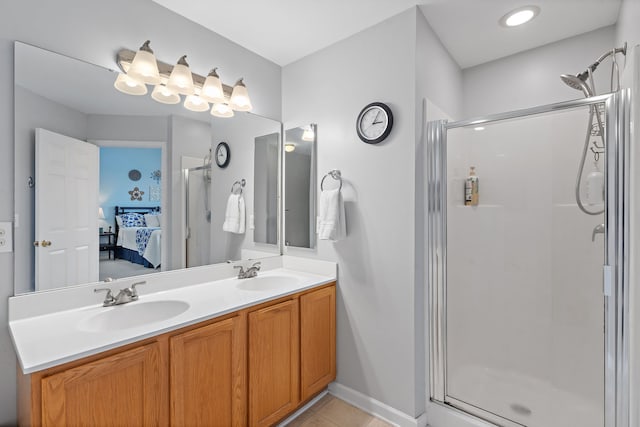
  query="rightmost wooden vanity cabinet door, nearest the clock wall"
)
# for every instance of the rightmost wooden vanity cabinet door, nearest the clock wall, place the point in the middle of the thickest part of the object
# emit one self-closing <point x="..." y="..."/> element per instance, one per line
<point x="317" y="340"/>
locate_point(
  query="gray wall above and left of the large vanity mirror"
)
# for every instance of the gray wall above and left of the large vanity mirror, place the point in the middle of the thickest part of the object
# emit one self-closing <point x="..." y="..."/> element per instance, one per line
<point x="95" y="31"/>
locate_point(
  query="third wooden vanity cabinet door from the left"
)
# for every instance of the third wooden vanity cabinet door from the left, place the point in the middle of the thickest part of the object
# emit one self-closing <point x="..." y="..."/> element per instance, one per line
<point x="274" y="377"/>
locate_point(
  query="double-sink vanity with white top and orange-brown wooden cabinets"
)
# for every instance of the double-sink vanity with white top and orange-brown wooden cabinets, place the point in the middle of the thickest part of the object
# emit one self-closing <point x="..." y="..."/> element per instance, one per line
<point x="197" y="347"/>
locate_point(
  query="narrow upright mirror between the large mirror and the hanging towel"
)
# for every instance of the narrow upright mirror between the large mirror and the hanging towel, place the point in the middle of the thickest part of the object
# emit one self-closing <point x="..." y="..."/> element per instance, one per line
<point x="300" y="186"/>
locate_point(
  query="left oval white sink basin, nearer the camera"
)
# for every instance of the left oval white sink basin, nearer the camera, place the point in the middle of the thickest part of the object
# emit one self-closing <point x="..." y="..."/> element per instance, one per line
<point x="132" y="315"/>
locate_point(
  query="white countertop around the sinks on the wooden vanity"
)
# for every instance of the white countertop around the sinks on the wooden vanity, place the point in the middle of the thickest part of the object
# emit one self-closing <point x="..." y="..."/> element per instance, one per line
<point x="47" y="340"/>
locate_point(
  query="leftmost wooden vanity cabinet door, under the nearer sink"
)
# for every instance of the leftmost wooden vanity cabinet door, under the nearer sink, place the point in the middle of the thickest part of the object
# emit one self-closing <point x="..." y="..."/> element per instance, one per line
<point x="126" y="389"/>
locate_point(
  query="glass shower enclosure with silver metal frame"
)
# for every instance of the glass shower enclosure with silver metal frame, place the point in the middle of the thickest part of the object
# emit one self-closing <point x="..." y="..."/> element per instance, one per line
<point x="527" y="293"/>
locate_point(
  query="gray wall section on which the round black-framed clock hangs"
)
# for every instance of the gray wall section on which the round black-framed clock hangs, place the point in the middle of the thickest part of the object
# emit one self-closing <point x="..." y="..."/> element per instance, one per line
<point x="380" y="346"/>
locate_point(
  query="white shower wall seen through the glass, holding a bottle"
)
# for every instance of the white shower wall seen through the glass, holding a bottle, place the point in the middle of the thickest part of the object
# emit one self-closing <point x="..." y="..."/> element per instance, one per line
<point x="524" y="287"/>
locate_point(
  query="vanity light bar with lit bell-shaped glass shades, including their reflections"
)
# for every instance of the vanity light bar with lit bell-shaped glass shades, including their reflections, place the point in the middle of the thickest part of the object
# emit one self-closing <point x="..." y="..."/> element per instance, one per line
<point x="176" y="80"/>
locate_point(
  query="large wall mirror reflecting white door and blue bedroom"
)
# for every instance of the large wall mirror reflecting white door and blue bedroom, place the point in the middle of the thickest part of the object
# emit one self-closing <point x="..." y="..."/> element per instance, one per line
<point x="82" y="149"/>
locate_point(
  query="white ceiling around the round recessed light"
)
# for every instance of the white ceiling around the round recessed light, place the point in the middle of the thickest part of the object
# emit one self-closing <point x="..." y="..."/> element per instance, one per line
<point x="287" y="30"/>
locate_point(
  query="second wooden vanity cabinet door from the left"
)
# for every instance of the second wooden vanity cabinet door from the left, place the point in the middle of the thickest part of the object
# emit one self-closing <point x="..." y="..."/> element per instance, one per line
<point x="208" y="375"/>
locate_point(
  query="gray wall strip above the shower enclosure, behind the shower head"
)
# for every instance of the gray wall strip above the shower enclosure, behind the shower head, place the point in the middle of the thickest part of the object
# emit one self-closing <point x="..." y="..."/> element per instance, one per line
<point x="532" y="77"/>
